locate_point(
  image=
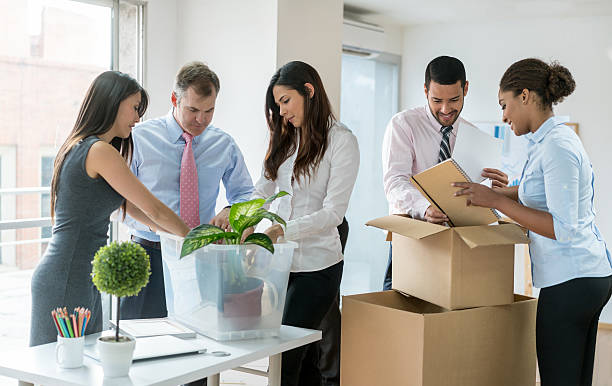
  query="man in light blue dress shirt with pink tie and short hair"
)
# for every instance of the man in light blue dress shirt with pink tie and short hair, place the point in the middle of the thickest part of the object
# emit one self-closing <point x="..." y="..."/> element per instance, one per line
<point x="158" y="149"/>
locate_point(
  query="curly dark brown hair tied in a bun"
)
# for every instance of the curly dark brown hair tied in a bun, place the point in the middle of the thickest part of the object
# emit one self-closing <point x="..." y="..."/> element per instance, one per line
<point x="551" y="82"/>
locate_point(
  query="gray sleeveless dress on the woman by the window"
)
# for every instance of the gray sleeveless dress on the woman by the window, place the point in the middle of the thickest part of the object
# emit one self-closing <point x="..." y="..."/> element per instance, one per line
<point x="62" y="278"/>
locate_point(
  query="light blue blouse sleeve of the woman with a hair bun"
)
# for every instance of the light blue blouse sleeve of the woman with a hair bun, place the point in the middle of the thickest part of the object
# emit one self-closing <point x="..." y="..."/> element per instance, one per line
<point x="561" y="169"/>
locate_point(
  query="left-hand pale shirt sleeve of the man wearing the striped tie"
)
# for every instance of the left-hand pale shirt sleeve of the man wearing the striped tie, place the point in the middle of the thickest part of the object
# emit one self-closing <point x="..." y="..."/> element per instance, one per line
<point x="398" y="156"/>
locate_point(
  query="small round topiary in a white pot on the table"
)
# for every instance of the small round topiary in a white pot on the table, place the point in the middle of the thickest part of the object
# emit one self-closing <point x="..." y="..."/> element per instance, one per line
<point x="119" y="269"/>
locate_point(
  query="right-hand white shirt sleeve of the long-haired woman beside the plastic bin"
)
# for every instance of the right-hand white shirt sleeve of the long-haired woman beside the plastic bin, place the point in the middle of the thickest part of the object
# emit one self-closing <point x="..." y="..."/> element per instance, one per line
<point x="343" y="173"/>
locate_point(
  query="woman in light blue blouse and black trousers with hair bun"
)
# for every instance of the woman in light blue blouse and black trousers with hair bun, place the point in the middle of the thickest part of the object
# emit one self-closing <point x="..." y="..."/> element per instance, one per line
<point x="554" y="201"/>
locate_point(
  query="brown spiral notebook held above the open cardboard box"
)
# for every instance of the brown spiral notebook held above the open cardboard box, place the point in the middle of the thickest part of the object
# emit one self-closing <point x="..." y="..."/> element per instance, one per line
<point x="435" y="184"/>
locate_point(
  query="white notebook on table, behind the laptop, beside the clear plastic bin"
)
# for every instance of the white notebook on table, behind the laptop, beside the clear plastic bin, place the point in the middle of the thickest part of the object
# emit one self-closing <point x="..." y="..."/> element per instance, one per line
<point x="139" y="328"/>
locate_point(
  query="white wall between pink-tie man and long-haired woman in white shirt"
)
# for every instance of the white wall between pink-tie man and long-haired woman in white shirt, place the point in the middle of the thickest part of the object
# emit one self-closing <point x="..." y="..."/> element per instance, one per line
<point x="238" y="41"/>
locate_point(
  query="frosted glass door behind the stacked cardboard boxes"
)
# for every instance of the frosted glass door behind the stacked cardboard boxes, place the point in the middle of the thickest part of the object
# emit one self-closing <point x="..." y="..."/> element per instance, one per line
<point x="369" y="98"/>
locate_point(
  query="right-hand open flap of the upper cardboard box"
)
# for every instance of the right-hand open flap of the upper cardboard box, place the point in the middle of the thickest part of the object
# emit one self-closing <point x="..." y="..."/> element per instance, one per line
<point x="482" y="236"/>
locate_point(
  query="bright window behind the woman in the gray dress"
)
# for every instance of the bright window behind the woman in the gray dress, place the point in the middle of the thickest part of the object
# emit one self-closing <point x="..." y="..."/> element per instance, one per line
<point x="56" y="49"/>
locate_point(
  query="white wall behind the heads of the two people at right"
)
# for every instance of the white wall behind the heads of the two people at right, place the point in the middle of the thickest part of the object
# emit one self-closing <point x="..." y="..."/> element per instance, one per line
<point x="584" y="45"/>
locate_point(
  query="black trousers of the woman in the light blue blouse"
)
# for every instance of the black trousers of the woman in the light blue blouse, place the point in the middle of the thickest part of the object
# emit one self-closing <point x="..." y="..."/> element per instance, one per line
<point x="566" y="330"/>
